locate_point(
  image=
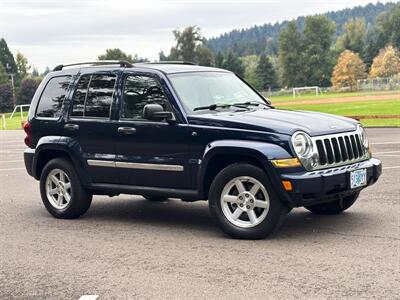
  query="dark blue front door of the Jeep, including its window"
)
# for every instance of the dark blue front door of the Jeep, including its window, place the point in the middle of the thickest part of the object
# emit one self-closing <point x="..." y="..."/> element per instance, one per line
<point x="149" y="153"/>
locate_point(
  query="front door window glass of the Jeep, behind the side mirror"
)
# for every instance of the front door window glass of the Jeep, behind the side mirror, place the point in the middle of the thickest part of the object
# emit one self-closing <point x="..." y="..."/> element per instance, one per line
<point x="140" y="90"/>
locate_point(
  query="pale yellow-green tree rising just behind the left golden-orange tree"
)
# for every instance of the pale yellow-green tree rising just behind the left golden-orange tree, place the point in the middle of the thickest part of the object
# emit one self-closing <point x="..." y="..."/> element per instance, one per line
<point x="354" y="36"/>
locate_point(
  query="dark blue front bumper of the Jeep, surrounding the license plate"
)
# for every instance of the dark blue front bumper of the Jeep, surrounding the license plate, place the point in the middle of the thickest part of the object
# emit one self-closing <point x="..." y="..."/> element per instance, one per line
<point x="327" y="185"/>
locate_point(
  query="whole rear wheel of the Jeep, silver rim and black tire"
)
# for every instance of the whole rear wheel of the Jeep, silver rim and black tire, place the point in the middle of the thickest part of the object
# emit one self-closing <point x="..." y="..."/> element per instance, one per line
<point x="65" y="183"/>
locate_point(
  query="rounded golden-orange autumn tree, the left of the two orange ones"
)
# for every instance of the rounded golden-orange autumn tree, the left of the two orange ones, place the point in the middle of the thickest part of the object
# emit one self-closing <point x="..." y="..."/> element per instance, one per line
<point x="348" y="70"/>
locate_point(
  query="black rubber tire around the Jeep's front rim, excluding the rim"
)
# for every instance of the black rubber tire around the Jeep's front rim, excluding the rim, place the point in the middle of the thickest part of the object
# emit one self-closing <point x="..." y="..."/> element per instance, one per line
<point x="276" y="208"/>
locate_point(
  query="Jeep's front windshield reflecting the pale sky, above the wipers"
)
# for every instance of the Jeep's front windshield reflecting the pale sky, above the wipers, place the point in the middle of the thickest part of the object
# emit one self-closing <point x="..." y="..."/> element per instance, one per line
<point x="203" y="89"/>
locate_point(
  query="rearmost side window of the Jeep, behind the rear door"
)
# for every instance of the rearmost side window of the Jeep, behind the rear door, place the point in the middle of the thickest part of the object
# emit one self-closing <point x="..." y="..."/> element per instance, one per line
<point x="52" y="98"/>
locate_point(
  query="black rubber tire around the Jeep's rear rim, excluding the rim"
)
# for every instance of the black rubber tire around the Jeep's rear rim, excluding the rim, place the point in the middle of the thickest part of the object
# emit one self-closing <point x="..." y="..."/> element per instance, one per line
<point x="80" y="199"/>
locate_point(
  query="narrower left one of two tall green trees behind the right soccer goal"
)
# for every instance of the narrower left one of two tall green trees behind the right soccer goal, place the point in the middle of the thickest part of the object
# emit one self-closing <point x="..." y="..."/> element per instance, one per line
<point x="290" y="49"/>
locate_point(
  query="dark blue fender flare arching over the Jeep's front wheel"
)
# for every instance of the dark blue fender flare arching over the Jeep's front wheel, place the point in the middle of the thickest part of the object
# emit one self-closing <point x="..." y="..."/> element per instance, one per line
<point x="262" y="151"/>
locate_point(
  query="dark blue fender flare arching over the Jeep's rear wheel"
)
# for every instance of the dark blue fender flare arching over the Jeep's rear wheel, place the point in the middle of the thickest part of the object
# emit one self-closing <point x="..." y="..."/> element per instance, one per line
<point x="69" y="146"/>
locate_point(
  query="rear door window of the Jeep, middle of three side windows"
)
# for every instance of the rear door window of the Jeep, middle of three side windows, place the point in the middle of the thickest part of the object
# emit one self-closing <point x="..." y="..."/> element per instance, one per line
<point x="93" y="96"/>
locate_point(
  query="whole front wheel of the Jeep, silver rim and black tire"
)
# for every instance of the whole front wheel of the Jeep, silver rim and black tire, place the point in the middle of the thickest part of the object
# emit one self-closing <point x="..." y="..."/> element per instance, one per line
<point x="226" y="202"/>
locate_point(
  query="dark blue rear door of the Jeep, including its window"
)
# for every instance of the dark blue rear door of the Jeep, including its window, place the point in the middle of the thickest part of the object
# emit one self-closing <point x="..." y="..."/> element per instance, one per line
<point x="90" y="124"/>
